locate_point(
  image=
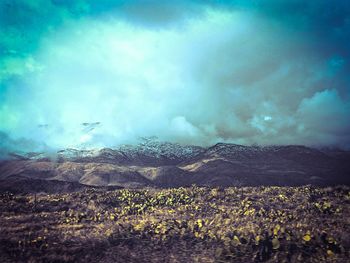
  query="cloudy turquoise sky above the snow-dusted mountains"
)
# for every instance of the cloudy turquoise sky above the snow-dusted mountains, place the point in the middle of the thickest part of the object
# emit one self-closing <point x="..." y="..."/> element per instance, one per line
<point x="87" y="74"/>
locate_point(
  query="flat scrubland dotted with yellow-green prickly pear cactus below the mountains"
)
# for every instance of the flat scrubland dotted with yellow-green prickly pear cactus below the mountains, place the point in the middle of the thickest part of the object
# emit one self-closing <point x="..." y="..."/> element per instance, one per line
<point x="249" y="224"/>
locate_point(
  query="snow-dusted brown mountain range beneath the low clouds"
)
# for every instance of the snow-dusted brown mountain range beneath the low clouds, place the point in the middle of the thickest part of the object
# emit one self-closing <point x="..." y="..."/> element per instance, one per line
<point x="153" y="163"/>
